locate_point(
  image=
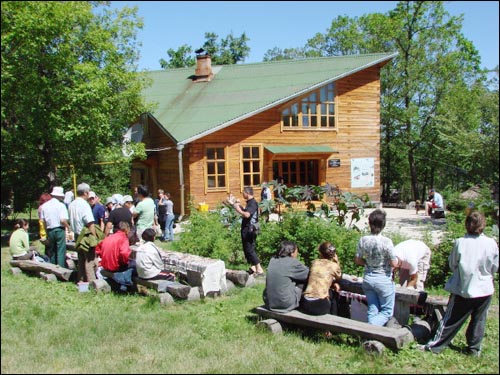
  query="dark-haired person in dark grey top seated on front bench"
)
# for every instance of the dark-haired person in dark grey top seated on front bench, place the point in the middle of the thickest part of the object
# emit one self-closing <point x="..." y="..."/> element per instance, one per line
<point x="285" y="279"/>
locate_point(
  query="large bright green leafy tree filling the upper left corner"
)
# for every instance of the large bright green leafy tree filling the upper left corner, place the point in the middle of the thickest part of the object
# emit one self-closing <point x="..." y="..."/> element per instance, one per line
<point x="69" y="89"/>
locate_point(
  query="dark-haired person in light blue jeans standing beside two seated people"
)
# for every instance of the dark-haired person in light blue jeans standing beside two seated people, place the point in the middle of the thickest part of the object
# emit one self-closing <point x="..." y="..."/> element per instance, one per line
<point x="375" y="252"/>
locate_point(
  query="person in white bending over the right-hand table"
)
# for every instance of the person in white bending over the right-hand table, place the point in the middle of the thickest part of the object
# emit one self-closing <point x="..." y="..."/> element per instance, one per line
<point x="413" y="263"/>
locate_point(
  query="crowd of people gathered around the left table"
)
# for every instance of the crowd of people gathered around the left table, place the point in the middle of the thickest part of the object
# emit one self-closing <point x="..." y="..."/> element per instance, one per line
<point x="104" y="235"/>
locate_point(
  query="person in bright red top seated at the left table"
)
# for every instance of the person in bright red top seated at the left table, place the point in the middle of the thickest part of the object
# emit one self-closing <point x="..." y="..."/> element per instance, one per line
<point x="114" y="250"/>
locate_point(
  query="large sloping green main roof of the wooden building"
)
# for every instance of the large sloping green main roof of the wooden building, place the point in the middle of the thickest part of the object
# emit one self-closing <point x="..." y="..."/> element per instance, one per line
<point x="188" y="110"/>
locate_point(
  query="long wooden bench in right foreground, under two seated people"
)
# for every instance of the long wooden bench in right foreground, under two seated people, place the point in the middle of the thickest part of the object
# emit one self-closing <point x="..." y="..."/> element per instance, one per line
<point x="394" y="338"/>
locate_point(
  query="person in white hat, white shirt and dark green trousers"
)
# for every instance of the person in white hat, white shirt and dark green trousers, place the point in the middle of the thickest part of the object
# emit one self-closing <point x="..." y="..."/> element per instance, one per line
<point x="56" y="220"/>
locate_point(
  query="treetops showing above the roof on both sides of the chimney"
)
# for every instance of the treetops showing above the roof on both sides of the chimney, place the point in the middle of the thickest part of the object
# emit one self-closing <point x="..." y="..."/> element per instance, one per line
<point x="229" y="50"/>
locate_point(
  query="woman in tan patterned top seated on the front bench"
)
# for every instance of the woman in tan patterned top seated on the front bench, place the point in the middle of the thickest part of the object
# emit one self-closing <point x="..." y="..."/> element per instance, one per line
<point x="323" y="283"/>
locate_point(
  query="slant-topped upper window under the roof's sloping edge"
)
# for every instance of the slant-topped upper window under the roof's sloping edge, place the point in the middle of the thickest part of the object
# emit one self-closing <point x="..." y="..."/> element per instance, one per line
<point x="313" y="112"/>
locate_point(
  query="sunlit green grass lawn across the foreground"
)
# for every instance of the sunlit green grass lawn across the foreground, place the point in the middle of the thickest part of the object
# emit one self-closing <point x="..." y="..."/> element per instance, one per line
<point x="52" y="328"/>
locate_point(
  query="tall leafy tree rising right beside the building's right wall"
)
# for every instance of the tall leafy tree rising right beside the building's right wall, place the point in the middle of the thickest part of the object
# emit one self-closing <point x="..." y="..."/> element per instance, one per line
<point x="433" y="57"/>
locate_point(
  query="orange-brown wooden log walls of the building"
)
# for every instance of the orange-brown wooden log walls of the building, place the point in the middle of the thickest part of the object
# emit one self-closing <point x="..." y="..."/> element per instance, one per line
<point x="358" y="136"/>
